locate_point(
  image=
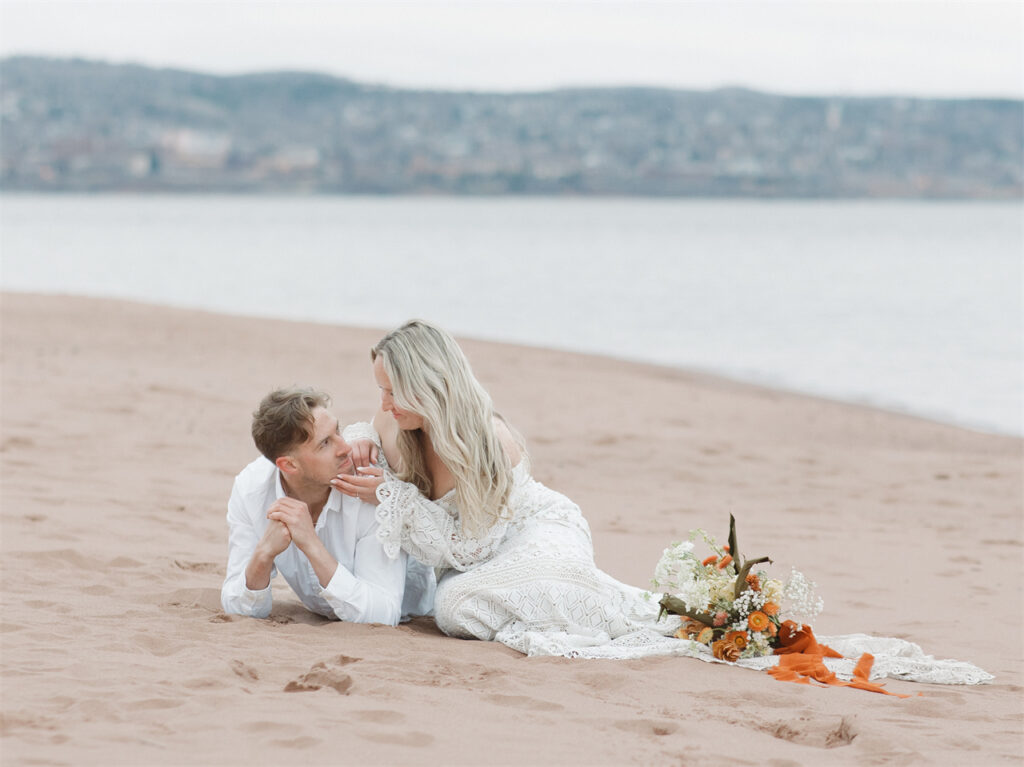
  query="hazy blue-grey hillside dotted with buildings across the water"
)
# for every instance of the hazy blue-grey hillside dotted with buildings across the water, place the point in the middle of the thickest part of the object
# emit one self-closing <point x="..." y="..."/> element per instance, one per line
<point x="74" y="125"/>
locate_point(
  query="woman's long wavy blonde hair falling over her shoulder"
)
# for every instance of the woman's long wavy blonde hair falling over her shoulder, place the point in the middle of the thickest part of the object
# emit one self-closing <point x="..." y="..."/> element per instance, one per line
<point x="432" y="377"/>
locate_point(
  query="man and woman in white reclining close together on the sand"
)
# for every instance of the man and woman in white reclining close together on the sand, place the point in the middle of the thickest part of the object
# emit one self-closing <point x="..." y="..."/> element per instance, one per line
<point x="452" y="495"/>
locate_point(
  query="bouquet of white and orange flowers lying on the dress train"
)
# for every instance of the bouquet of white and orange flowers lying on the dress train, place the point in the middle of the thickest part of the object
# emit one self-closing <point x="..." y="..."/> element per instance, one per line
<point x="729" y="607"/>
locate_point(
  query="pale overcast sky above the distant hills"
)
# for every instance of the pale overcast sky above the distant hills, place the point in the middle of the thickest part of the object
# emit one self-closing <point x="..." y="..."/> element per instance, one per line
<point x="929" y="49"/>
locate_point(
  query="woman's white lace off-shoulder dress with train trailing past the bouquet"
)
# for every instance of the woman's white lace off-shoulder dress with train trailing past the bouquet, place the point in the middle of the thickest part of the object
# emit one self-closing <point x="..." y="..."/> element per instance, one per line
<point x="531" y="583"/>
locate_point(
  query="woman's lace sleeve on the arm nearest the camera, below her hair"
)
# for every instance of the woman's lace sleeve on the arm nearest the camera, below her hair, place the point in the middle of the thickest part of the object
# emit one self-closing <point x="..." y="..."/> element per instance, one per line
<point x="429" y="531"/>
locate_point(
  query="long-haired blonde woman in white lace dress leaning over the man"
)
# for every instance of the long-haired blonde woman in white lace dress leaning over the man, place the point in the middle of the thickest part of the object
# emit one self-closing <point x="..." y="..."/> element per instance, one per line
<point x="517" y="558"/>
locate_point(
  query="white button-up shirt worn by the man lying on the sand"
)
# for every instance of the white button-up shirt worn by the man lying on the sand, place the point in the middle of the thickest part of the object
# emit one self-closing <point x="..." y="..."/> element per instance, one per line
<point x="367" y="587"/>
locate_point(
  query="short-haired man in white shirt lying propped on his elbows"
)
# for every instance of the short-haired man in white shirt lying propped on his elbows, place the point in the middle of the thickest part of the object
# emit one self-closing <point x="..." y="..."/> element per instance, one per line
<point x="284" y="517"/>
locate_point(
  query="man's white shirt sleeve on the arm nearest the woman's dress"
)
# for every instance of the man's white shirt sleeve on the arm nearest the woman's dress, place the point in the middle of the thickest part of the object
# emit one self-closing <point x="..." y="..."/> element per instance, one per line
<point x="372" y="593"/>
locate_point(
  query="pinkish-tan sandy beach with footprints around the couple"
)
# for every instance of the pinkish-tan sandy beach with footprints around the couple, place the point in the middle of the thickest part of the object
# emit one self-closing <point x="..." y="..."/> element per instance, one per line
<point x="123" y="427"/>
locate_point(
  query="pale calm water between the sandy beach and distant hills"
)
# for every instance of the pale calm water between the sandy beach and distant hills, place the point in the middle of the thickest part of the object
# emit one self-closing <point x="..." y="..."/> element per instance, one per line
<point x="910" y="307"/>
